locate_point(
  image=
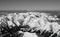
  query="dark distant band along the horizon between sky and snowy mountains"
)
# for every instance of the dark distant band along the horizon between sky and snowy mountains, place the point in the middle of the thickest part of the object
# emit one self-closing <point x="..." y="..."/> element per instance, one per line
<point x="55" y="12"/>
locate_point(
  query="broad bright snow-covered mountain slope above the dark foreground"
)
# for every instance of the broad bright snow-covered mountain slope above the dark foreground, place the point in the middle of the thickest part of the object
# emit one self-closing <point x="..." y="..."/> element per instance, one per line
<point x="35" y="21"/>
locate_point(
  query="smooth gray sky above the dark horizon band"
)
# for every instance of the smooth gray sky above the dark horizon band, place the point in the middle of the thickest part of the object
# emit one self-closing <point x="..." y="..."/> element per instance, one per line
<point x="29" y="4"/>
